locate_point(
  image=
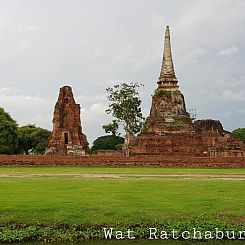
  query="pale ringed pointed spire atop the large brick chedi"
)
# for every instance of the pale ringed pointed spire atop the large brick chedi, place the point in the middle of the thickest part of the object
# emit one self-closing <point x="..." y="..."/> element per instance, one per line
<point x="167" y="79"/>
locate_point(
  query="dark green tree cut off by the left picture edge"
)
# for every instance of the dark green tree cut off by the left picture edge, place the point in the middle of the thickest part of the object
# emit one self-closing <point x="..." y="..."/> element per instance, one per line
<point x="8" y="133"/>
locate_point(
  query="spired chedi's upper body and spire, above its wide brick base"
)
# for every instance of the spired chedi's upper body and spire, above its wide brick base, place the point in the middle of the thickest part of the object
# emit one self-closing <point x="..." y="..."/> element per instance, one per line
<point x="168" y="112"/>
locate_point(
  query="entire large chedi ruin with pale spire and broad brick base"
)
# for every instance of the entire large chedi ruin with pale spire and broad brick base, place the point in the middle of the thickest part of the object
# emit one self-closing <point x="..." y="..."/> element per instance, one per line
<point x="170" y="130"/>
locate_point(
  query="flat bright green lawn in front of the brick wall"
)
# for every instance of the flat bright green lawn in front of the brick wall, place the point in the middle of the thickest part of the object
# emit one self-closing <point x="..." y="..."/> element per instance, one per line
<point x="127" y="200"/>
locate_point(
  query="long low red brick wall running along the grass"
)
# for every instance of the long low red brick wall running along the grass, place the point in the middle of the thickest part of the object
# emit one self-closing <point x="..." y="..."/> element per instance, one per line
<point x="217" y="162"/>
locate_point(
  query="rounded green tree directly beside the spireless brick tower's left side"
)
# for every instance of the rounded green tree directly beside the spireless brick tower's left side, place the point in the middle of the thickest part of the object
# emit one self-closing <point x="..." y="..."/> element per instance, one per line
<point x="32" y="139"/>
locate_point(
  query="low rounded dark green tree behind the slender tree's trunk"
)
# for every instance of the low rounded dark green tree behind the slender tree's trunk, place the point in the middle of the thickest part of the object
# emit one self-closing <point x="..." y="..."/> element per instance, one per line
<point x="107" y="142"/>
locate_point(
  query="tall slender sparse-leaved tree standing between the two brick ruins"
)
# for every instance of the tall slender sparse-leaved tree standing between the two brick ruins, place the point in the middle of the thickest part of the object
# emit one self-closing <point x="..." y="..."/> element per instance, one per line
<point x="124" y="106"/>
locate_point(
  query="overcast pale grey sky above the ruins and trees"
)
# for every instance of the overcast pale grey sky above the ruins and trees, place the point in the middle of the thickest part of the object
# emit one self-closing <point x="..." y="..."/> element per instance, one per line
<point x="93" y="44"/>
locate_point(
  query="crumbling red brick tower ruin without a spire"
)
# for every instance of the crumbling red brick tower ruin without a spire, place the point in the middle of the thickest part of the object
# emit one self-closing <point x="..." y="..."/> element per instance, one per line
<point x="67" y="137"/>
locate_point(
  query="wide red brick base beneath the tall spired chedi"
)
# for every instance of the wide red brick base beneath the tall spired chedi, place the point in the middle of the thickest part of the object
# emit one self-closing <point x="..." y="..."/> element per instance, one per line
<point x="198" y="145"/>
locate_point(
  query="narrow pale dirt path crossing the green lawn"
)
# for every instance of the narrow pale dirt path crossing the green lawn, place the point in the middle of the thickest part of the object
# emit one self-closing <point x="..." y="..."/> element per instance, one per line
<point x="120" y="176"/>
